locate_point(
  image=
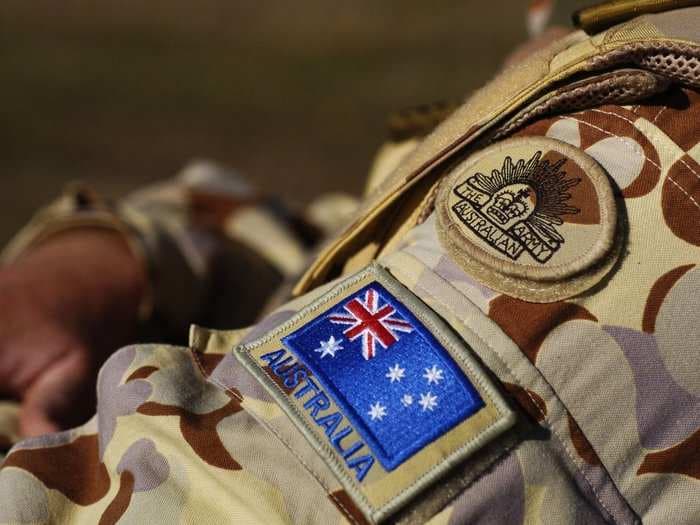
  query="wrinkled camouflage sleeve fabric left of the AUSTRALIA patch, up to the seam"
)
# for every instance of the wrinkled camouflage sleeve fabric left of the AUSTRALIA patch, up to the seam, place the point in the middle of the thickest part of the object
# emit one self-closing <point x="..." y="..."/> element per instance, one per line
<point x="166" y="446"/>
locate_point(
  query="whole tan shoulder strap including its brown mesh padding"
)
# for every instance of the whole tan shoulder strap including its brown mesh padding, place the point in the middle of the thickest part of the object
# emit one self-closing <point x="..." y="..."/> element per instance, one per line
<point x="622" y="65"/>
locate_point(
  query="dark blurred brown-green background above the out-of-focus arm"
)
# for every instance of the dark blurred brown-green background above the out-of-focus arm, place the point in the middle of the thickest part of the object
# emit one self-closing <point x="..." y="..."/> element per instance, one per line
<point x="294" y="94"/>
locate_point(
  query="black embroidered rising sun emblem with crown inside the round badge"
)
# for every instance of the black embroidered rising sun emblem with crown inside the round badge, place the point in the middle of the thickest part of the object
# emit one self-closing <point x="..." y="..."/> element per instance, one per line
<point x="518" y="207"/>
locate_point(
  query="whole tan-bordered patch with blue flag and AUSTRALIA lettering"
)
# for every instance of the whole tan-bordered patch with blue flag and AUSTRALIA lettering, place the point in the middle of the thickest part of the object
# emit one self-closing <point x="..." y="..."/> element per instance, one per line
<point x="381" y="387"/>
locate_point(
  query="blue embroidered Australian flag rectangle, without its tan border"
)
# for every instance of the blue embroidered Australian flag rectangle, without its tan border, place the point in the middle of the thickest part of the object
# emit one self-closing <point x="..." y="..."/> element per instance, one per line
<point x="388" y="374"/>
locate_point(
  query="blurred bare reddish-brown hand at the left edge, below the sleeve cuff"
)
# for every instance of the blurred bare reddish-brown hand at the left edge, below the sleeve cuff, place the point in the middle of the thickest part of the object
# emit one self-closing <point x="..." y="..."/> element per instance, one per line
<point x="66" y="305"/>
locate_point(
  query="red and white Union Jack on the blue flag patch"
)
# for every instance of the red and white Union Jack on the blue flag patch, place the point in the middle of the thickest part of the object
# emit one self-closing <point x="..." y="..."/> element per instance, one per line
<point x="372" y="323"/>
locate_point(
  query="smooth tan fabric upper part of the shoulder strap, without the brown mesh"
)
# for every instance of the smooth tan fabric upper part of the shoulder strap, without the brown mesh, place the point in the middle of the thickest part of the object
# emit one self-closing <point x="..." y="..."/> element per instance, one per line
<point x="577" y="54"/>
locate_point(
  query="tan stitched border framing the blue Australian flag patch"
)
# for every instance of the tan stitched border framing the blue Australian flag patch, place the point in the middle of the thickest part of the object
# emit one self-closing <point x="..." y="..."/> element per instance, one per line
<point x="384" y="491"/>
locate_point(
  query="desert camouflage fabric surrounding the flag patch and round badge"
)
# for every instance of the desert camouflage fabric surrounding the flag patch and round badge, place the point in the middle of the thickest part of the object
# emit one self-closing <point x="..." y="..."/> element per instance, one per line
<point x="605" y="384"/>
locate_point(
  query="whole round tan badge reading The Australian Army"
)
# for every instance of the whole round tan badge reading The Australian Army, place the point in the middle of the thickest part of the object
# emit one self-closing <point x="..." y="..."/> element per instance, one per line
<point x="531" y="217"/>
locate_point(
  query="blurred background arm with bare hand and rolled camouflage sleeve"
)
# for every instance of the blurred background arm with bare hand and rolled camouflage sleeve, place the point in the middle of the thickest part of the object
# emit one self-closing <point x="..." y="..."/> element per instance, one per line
<point x="86" y="277"/>
